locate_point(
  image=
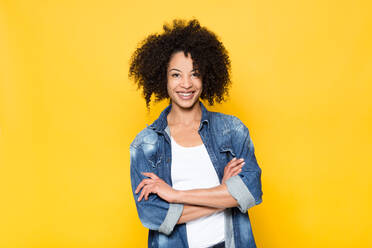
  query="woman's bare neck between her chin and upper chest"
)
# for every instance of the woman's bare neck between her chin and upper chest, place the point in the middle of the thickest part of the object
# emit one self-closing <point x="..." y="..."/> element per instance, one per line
<point x="183" y="116"/>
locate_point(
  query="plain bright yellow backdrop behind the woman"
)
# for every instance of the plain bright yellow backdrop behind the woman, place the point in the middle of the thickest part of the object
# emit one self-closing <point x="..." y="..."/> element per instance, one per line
<point x="302" y="73"/>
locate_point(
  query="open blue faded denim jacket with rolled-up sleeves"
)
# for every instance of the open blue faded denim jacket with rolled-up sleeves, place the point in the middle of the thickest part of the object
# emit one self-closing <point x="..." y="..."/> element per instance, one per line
<point x="224" y="137"/>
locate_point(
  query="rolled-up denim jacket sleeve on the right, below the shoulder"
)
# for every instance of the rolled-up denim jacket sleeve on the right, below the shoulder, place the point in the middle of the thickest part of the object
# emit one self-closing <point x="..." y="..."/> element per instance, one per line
<point x="245" y="187"/>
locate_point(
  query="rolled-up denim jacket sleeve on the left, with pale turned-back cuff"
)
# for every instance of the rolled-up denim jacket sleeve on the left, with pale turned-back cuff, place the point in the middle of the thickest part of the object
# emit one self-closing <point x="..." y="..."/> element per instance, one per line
<point x="154" y="213"/>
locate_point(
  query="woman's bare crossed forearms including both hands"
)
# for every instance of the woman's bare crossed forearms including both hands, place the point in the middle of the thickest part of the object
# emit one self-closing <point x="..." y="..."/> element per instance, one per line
<point x="197" y="202"/>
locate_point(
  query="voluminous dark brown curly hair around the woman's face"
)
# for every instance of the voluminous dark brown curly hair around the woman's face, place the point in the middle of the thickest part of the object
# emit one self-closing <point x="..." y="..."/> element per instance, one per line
<point x="149" y="62"/>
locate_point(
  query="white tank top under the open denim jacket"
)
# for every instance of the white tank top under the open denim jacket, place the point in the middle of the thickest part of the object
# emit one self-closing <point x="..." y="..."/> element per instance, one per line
<point x="192" y="169"/>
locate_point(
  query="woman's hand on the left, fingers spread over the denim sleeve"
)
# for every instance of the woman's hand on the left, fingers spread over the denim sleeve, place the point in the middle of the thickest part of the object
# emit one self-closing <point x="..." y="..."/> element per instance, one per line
<point x="155" y="185"/>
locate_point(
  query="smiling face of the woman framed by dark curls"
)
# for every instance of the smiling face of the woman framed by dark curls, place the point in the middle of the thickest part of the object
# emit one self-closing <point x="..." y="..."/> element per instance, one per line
<point x="184" y="82"/>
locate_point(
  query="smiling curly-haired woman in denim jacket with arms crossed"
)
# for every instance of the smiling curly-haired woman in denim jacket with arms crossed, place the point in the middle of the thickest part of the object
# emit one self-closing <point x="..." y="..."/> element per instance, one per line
<point x="194" y="173"/>
